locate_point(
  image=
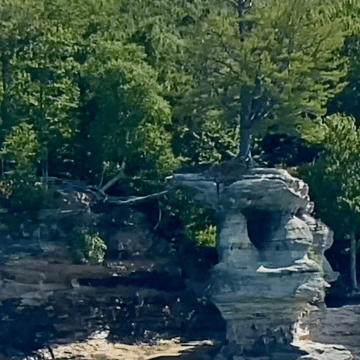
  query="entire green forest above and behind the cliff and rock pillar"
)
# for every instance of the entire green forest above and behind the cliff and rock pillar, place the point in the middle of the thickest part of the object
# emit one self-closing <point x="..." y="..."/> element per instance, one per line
<point x="97" y="90"/>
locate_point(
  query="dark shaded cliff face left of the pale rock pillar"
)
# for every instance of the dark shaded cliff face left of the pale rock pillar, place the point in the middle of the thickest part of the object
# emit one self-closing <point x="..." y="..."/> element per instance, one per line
<point x="139" y="294"/>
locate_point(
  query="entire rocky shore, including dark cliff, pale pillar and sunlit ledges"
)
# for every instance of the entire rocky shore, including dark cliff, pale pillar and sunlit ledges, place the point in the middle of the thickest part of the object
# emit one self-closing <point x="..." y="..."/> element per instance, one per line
<point x="148" y="292"/>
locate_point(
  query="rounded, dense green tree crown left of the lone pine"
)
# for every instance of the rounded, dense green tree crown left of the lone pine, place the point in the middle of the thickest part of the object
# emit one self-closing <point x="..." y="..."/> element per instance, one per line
<point x="131" y="118"/>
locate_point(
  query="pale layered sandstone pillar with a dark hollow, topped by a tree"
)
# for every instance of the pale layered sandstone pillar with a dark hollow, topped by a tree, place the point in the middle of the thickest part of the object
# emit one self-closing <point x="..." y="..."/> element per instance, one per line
<point x="271" y="268"/>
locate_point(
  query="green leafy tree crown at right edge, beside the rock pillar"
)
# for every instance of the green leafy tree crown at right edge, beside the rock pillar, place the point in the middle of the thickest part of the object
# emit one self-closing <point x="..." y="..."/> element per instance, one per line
<point x="334" y="178"/>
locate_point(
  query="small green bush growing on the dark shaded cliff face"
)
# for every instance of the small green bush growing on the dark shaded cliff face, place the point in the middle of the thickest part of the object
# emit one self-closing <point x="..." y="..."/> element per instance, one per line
<point x="86" y="246"/>
